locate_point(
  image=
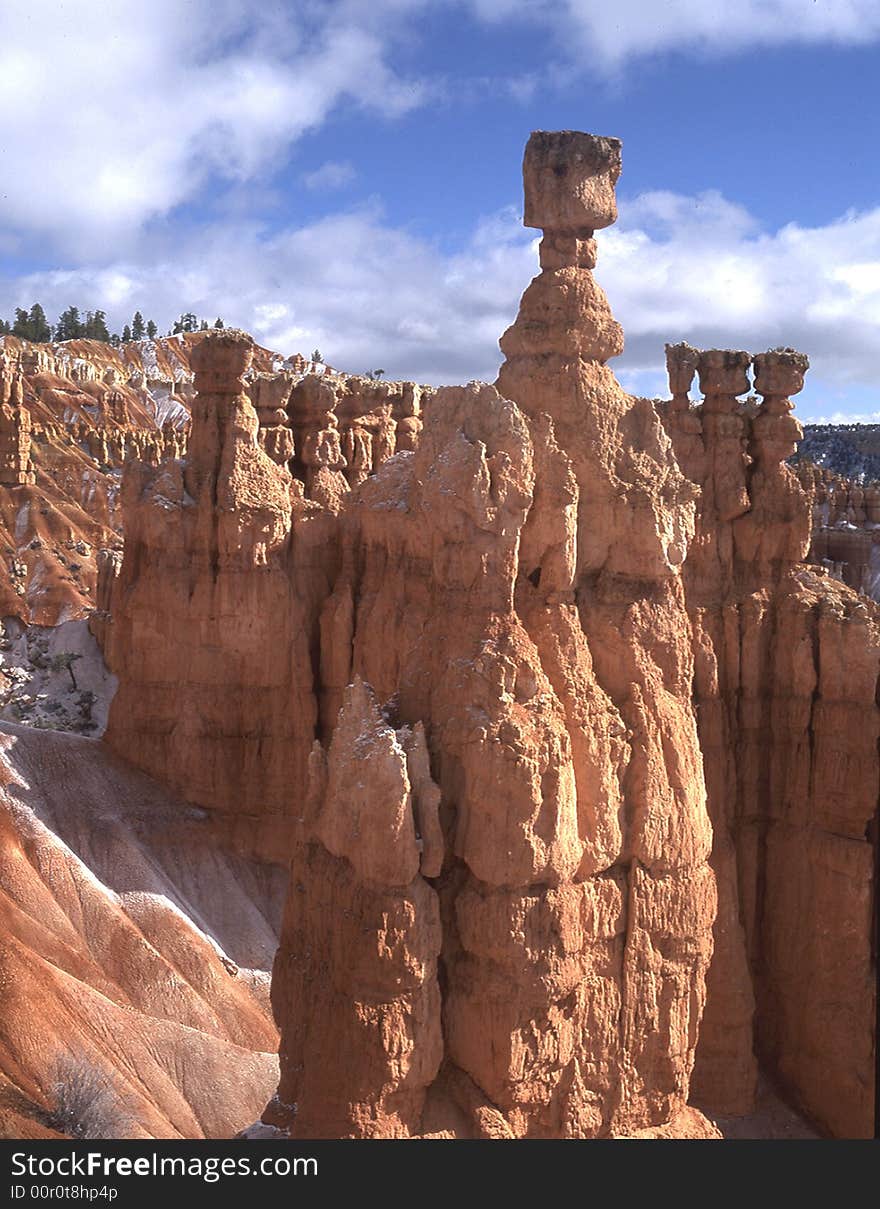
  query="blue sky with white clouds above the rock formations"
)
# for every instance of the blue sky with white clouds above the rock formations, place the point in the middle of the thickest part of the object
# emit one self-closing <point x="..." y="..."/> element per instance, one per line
<point x="348" y="176"/>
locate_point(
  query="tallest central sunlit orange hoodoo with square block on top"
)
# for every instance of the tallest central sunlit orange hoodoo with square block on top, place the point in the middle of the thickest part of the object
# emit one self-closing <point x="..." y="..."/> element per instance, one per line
<point x="553" y="681"/>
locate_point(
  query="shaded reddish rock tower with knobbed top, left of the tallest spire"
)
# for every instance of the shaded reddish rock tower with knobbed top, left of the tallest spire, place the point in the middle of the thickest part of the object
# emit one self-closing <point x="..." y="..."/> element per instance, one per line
<point x="212" y="637"/>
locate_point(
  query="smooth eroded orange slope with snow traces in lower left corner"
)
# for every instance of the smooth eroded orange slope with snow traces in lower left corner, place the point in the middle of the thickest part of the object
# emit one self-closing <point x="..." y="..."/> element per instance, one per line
<point x="134" y="948"/>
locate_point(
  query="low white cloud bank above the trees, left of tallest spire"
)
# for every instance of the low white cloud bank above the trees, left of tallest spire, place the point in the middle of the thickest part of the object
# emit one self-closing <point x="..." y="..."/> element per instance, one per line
<point x="361" y="291"/>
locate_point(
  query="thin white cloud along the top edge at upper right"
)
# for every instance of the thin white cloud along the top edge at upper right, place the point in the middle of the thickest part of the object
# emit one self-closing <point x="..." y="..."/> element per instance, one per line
<point x="601" y="34"/>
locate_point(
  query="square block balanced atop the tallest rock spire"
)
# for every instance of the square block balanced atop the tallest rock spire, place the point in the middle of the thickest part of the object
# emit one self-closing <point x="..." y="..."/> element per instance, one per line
<point x="569" y="178"/>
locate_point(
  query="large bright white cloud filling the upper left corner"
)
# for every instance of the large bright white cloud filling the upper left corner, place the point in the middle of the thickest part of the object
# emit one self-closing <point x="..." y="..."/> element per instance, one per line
<point x="124" y="111"/>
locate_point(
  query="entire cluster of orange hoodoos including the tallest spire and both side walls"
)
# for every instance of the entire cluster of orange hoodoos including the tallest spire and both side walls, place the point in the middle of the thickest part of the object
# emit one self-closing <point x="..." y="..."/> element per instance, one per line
<point x="487" y="661"/>
